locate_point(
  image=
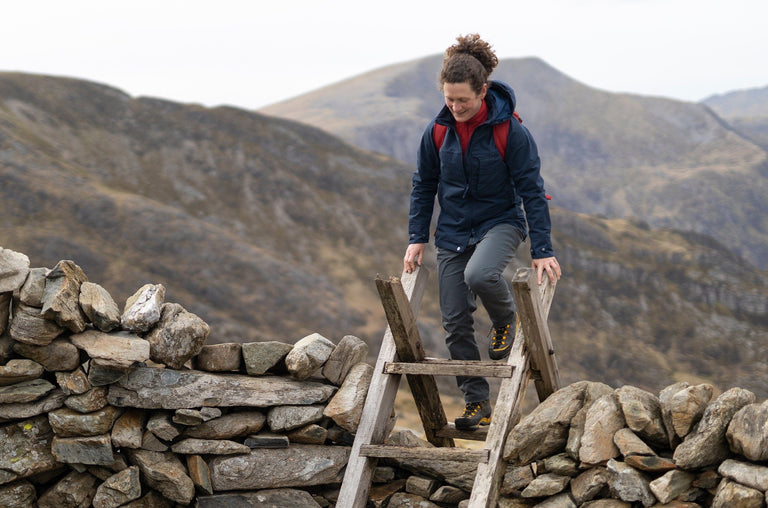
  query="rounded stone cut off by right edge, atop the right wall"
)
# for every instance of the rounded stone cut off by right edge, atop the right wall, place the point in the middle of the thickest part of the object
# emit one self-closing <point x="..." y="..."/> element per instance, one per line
<point x="747" y="433"/>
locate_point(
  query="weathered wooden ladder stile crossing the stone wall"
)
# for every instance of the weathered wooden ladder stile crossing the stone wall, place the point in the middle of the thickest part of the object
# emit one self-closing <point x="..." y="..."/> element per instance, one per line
<point x="531" y="357"/>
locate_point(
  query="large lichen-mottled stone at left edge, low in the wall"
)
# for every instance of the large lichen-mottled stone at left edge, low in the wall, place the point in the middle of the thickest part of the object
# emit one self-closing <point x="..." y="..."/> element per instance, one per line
<point x="25" y="448"/>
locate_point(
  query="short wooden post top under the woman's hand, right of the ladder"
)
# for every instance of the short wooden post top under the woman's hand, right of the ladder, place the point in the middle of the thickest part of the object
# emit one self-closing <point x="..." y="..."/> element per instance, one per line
<point x="533" y="302"/>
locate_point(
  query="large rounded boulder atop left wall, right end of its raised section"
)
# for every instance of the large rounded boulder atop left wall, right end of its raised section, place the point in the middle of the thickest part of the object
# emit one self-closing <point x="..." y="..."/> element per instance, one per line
<point x="178" y="336"/>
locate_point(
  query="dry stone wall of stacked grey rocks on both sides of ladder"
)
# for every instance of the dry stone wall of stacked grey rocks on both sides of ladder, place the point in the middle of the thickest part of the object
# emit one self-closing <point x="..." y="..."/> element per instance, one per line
<point x="106" y="407"/>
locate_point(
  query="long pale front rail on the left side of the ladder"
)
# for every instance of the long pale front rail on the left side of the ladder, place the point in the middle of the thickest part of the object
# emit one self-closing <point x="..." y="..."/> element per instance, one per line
<point x="378" y="405"/>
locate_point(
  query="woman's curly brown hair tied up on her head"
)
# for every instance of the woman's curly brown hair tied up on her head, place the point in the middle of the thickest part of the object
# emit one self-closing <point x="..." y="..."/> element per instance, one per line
<point x="471" y="60"/>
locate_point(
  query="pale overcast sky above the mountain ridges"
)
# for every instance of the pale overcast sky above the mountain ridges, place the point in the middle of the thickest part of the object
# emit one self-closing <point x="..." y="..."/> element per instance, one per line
<point x="253" y="53"/>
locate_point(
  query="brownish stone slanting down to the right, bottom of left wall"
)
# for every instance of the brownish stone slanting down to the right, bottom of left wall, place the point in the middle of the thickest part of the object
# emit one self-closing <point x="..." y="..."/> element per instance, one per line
<point x="165" y="473"/>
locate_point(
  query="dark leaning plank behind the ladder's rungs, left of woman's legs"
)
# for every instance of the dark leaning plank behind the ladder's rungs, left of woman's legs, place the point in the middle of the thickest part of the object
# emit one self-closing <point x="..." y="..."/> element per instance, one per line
<point x="405" y="333"/>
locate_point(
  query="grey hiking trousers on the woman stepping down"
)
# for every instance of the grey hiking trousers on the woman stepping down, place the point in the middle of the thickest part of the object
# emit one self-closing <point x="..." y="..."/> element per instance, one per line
<point x="463" y="276"/>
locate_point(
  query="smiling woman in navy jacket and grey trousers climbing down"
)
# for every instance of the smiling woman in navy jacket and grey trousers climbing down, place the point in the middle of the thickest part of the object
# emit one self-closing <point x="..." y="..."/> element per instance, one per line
<point x="481" y="221"/>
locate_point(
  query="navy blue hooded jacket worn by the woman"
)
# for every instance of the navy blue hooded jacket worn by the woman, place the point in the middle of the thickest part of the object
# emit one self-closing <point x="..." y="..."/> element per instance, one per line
<point x="480" y="189"/>
